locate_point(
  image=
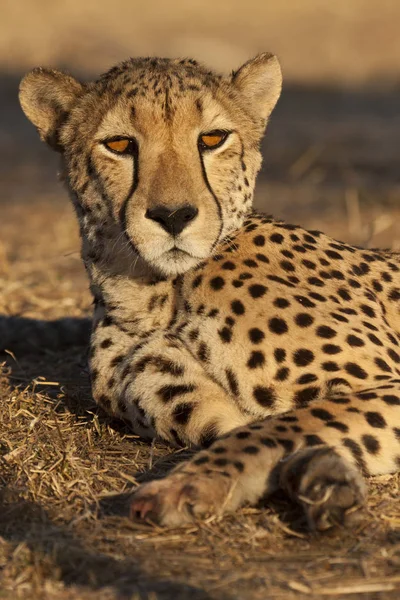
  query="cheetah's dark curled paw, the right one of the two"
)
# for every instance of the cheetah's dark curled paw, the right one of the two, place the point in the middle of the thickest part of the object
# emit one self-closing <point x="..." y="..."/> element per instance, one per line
<point x="330" y="490"/>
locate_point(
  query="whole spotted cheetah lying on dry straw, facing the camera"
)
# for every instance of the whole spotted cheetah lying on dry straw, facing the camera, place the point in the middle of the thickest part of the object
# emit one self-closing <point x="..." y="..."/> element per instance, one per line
<point x="273" y="349"/>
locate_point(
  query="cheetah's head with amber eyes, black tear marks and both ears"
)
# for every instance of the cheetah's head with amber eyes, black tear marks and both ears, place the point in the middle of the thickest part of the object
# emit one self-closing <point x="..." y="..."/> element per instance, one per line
<point x="160" y="153"/>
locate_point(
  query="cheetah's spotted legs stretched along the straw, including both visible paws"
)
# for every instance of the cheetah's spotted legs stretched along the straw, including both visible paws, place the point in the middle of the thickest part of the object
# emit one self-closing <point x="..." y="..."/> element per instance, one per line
<point x="317" y="454"/>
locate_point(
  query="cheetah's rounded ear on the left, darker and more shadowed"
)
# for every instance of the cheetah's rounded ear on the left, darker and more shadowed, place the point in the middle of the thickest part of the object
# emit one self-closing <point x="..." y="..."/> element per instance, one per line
<point x="46" y="96"/>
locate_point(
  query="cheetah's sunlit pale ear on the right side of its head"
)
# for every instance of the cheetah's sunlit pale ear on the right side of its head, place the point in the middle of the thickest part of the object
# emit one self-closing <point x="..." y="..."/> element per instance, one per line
<point x="260" y="82"/>
